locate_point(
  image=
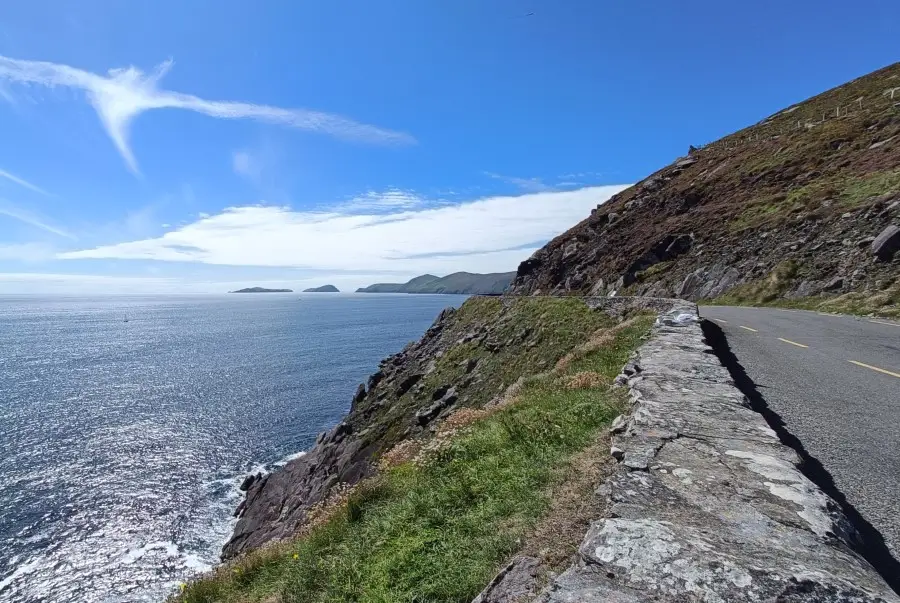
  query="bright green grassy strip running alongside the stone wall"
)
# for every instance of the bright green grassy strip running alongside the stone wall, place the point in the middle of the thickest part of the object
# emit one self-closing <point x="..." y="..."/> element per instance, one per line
<point x="438" y="527"/>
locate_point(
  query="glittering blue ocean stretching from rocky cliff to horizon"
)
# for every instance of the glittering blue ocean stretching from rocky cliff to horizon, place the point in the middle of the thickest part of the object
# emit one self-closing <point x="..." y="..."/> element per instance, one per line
<point x="122" y="444"/>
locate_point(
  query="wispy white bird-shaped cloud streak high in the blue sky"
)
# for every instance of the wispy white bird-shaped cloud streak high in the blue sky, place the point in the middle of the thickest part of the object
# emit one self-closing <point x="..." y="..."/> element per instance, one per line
<point x="125" y="93"/>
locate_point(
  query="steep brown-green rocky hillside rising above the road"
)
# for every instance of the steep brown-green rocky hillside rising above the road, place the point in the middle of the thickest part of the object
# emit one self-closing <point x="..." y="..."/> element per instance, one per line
<point x="791" y="207"/>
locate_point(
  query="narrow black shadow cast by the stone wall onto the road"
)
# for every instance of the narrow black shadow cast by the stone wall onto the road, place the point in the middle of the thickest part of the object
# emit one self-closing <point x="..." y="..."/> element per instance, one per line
<point x="868" y="541"/>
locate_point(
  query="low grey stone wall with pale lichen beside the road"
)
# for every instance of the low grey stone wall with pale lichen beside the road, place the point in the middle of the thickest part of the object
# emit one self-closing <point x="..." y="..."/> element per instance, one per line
<point x="707" y="504"/>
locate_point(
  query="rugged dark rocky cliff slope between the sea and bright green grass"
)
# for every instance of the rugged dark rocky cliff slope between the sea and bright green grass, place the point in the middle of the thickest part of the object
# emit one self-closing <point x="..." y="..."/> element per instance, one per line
<point x="465" y="359"/>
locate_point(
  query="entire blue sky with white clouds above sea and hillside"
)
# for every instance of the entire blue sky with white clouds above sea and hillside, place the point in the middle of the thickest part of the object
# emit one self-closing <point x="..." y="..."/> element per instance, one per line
<point x="199" y="146"/>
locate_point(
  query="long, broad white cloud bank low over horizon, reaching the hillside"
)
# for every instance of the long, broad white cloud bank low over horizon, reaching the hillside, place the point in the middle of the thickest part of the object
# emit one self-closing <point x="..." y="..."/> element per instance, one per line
<point x="491" y="234"/>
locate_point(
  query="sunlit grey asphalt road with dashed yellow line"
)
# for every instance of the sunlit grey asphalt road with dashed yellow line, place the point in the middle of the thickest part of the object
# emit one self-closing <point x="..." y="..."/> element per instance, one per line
<point x="835" y="382"/>
